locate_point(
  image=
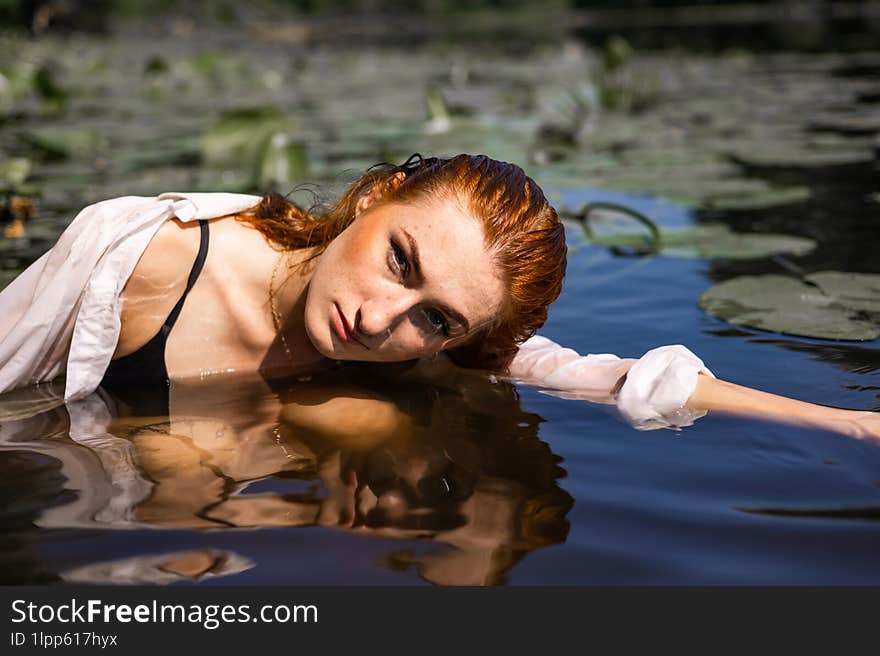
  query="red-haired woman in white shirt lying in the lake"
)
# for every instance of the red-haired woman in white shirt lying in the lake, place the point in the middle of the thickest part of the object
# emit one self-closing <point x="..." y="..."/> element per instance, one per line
<point x="459" y="255"/>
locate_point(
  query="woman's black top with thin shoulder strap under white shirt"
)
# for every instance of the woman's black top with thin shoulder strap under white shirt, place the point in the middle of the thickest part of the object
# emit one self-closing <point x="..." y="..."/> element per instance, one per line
<point x="141" y="377"/>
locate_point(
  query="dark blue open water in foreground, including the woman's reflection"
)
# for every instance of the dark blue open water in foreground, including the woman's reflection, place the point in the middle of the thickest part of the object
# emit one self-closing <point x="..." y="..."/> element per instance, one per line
<point x="474" y="481"/>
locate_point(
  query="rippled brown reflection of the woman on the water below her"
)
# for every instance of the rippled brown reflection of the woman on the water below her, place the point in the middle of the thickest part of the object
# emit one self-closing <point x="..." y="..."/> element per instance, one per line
<point x="459" y="465"/>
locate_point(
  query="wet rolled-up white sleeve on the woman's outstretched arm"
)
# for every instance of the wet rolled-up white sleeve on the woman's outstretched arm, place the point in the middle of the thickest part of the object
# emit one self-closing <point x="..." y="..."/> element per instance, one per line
<point x="653" y="394"/>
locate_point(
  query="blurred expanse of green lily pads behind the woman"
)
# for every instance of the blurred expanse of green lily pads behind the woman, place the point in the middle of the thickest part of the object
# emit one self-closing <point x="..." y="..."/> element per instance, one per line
<point x="211" y="111"/>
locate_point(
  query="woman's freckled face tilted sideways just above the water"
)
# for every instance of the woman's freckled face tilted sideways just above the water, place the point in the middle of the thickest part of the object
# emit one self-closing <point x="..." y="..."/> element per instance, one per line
<point x="403" y="281"/>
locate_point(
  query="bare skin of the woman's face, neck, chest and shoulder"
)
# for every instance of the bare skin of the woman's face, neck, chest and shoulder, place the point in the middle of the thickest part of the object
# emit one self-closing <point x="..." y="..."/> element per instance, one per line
<point x="227" y="325"/>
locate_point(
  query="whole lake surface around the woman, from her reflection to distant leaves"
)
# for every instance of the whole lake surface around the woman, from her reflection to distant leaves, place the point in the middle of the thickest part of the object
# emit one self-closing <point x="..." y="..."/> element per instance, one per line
<point x="356" y="477"/>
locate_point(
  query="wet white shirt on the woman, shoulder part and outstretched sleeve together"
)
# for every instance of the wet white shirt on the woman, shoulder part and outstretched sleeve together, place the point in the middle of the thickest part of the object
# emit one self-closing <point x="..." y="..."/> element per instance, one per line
<point x="61" y="315"/>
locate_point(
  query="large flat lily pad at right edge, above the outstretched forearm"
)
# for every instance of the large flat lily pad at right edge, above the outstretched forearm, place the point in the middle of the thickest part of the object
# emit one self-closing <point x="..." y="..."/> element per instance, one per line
<point x="824" y="305"/>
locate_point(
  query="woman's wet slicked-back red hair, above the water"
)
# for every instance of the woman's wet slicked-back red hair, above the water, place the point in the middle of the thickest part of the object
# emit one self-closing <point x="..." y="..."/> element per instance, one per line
<point x="521" y="229"/>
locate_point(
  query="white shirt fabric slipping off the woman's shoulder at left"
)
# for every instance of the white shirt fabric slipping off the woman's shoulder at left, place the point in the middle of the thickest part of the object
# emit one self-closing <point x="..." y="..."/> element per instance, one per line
<point x="61" y="315"/>
